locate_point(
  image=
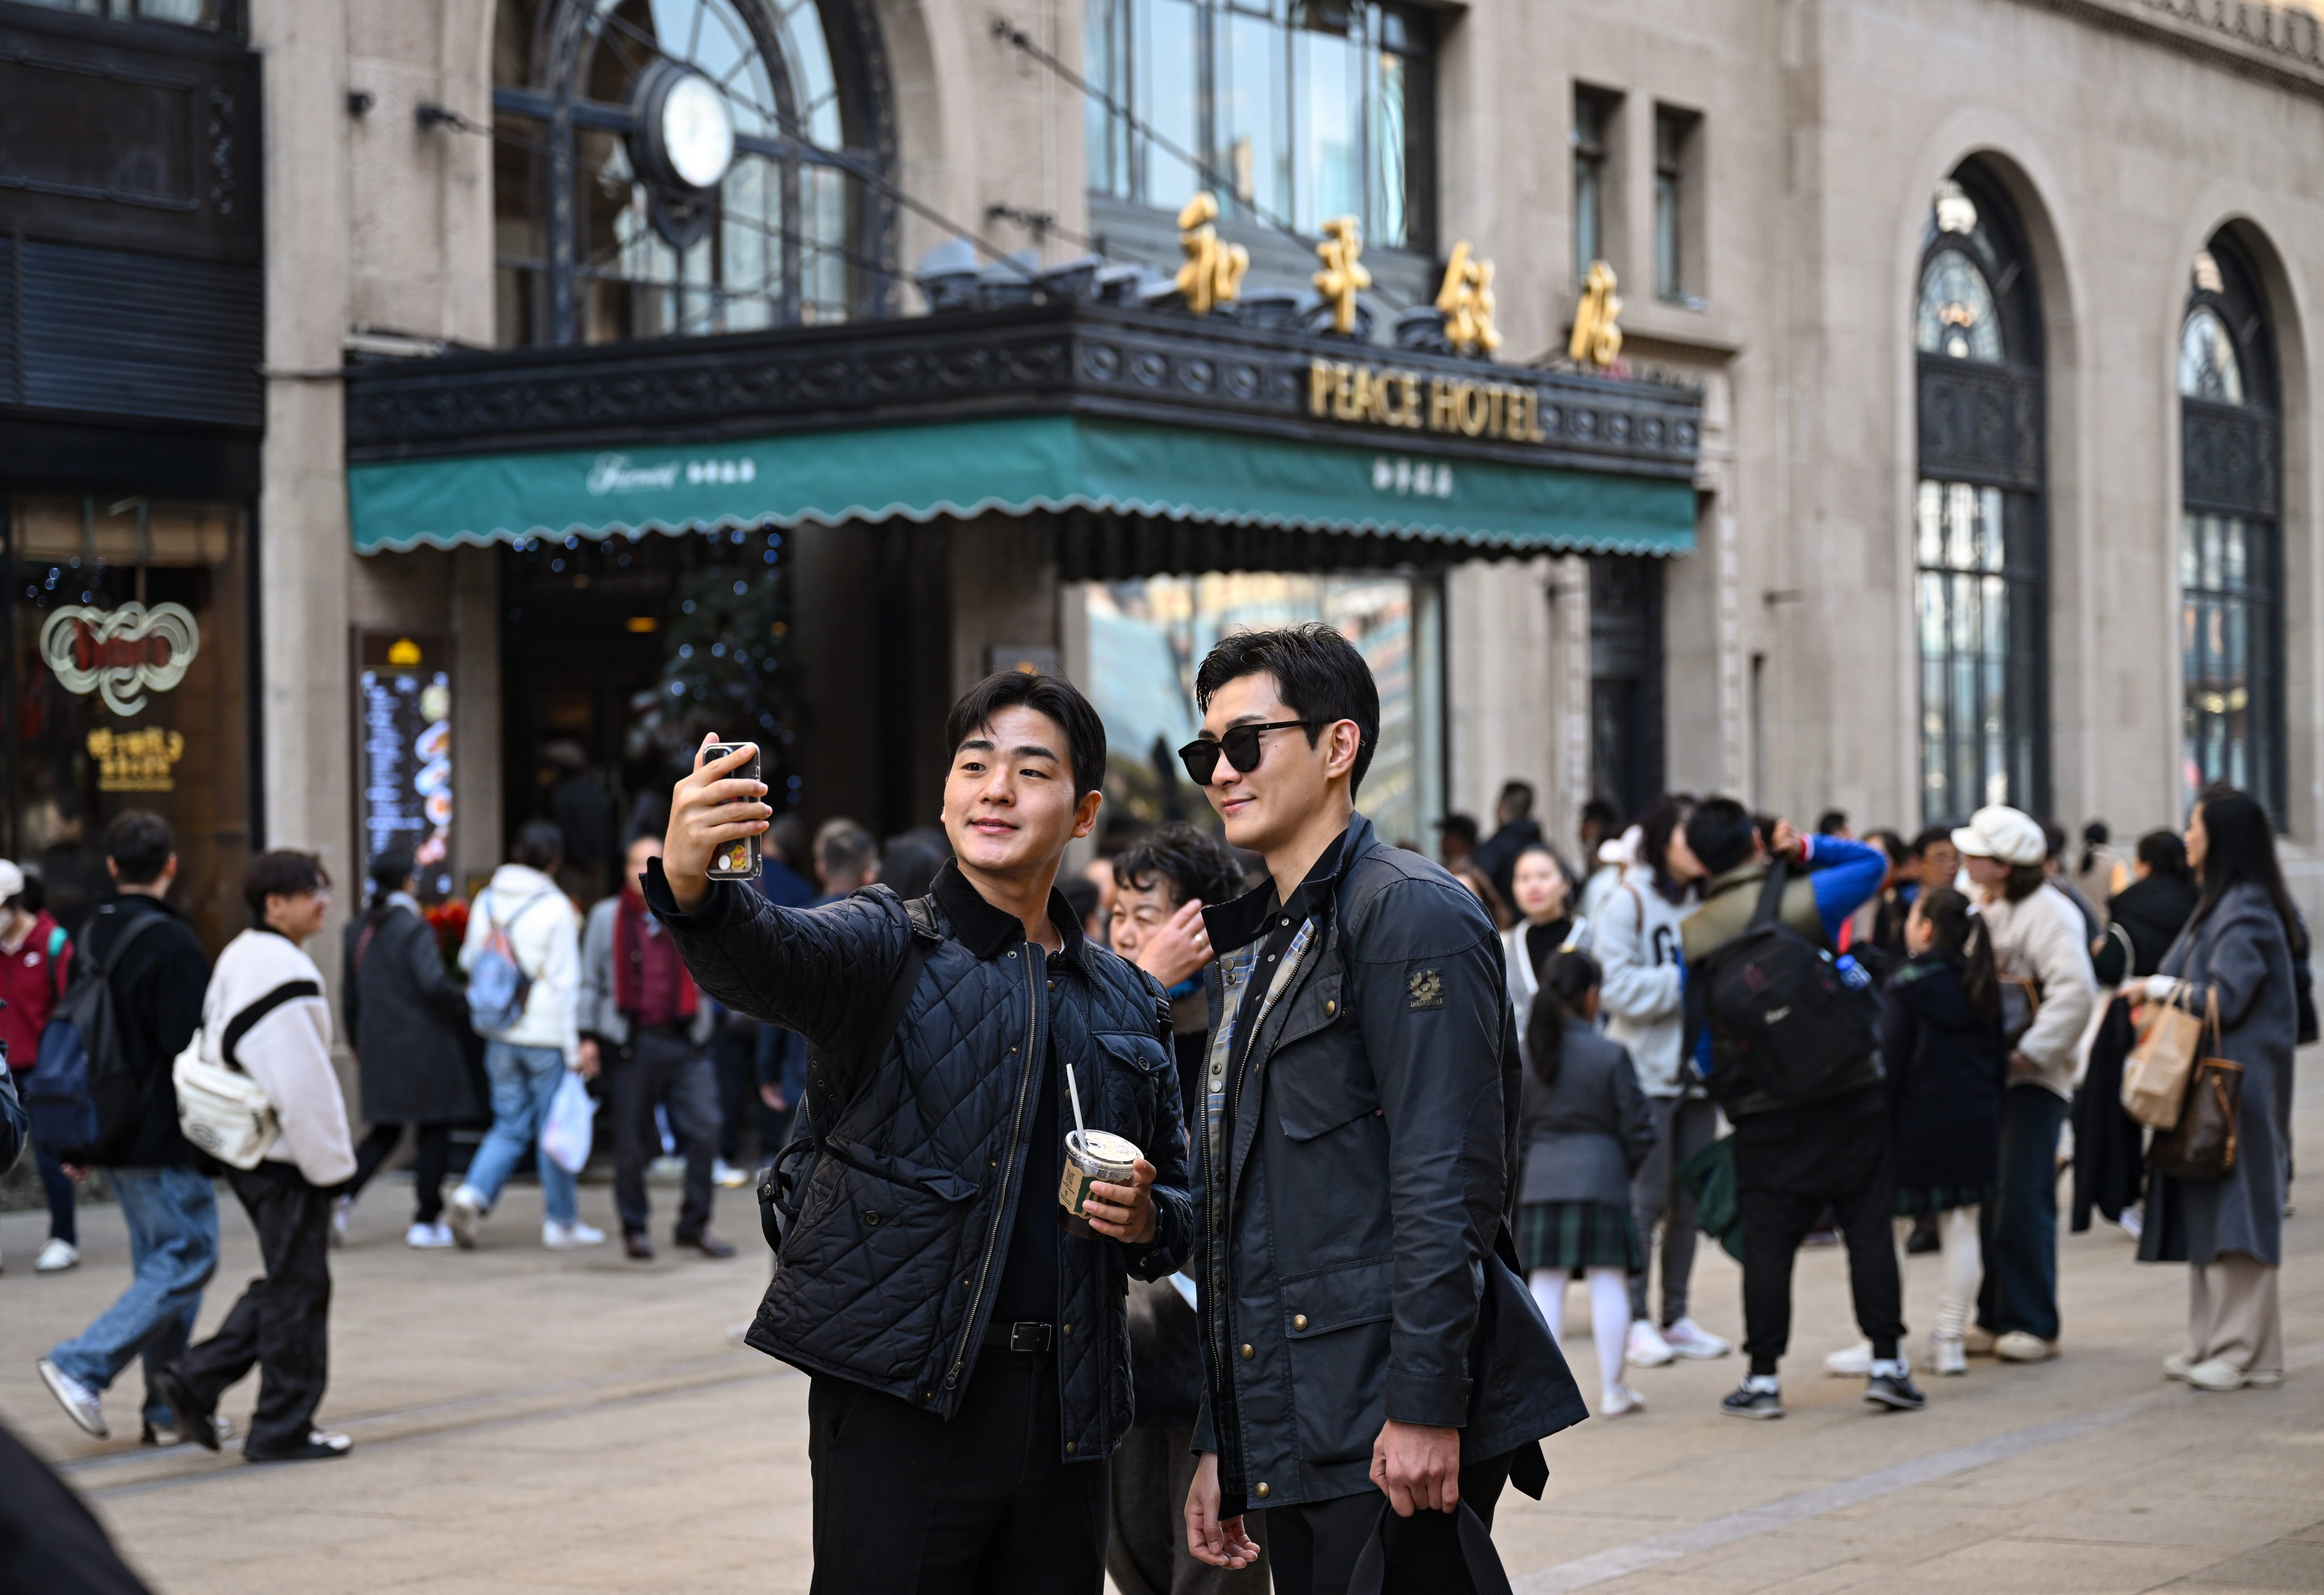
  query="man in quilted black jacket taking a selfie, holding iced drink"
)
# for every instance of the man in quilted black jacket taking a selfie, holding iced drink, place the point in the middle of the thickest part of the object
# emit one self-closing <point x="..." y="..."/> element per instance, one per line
<point x="968" y="1352"/>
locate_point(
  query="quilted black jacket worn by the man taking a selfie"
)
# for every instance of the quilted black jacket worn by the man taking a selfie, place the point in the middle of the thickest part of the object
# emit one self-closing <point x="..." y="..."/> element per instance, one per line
<point x="889" y="1273"/>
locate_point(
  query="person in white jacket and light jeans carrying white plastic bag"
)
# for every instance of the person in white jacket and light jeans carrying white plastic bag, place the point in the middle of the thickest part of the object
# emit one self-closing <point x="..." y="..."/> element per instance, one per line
<point x="529" y="1061"/>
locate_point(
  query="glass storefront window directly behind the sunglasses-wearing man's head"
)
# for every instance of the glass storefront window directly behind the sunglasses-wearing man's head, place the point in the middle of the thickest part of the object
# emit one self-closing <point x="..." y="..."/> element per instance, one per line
<point x="1149" y="638"/>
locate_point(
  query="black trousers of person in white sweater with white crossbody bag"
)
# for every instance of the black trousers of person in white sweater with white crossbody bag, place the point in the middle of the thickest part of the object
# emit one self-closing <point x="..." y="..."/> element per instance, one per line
<point x="282" y="1322"/>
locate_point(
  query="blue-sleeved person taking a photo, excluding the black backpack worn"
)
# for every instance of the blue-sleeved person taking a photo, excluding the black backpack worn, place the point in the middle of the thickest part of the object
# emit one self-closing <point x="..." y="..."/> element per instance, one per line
<point x="1798" y="1159"/>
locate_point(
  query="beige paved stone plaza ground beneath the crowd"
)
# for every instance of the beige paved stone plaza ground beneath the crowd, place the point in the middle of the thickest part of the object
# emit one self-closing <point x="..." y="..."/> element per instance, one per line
<point x="575" y="1422"/>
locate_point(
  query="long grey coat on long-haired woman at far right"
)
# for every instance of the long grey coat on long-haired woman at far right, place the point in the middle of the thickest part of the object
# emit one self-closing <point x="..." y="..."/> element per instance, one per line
<point x="2241" y="957"/>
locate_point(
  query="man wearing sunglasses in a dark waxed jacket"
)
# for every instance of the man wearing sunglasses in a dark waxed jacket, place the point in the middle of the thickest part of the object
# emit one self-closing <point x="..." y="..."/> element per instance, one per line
<point x="1372" y="1361"/>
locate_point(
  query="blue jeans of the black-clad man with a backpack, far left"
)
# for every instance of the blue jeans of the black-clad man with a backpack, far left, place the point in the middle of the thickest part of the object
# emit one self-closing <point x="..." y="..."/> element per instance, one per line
<point x="173" y="1220"/>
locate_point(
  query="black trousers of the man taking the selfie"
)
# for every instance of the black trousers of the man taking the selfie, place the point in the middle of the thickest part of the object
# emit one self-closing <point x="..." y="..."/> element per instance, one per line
<point x="982" y="1505"/>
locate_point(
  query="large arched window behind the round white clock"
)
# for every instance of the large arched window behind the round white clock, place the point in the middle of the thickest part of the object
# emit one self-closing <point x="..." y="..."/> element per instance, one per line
<point x="673" y="169"/>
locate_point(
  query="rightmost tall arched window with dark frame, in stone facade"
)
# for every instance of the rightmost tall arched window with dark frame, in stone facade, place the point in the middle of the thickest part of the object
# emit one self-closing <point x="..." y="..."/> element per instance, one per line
<point x="2232" y="559"/>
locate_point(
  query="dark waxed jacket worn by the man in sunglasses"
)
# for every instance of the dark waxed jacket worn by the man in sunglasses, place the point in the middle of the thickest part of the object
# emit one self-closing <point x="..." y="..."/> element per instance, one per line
<point x="1354" y="1233"/>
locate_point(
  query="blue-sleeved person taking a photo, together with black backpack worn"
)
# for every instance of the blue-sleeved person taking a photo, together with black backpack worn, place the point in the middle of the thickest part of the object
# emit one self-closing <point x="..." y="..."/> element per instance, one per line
<point x="1786" y="1038"/>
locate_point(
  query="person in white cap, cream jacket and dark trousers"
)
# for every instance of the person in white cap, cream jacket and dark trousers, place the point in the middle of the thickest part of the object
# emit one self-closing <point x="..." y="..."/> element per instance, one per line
<point x="2046" y="994"/>
